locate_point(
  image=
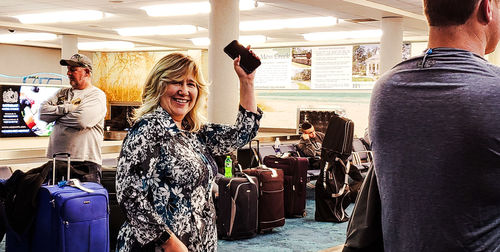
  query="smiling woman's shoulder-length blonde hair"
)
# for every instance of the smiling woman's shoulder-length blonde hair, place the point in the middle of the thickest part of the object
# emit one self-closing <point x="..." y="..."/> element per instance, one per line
<point x="172" y="68"/>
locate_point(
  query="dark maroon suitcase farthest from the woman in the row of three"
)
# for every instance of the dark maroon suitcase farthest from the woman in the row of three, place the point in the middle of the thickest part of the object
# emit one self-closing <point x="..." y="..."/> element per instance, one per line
<point x="295" y="170"/>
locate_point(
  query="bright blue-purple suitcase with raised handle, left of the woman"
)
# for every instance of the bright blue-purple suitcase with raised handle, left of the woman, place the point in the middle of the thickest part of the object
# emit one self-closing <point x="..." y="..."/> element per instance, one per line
<point x="69" y="219"/>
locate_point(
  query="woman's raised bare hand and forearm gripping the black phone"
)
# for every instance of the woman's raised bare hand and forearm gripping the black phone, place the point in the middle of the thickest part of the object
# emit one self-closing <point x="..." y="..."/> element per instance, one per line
<point x="247" y="96"/>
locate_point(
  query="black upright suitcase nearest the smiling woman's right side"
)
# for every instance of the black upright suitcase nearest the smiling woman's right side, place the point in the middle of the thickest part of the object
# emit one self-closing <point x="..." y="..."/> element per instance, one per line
<point x="237" y="207"/>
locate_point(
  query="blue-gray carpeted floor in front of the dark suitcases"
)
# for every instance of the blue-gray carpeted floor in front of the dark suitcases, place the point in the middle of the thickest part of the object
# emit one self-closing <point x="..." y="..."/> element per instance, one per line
<point x="298" y="234"/>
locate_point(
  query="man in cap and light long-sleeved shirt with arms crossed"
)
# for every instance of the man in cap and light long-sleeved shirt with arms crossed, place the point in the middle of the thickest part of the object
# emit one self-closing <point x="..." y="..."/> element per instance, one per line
<point x="78" y="113"/>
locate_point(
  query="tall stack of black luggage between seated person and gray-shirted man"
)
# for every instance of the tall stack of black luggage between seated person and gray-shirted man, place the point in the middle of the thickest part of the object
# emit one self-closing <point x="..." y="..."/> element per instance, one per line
<point x="331" y="193"/>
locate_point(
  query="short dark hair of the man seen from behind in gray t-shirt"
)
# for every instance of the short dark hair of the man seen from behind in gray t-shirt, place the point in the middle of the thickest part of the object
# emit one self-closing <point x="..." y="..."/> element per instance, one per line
<point x="449" y="12"/>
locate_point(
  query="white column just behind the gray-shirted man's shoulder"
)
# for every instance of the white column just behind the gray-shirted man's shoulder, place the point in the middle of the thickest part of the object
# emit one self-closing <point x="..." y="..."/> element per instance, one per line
<point x="391" y="43"/>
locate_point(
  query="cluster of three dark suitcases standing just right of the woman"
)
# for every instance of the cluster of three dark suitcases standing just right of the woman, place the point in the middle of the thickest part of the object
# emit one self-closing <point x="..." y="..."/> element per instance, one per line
<point x="257" y="200"/>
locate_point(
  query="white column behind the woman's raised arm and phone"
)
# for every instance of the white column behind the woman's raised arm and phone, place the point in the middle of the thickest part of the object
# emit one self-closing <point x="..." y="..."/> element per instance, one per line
<point x="223" y="28"/>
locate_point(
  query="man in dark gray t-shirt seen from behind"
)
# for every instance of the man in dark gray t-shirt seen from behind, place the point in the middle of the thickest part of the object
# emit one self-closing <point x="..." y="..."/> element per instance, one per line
<point x="435" y="131"/>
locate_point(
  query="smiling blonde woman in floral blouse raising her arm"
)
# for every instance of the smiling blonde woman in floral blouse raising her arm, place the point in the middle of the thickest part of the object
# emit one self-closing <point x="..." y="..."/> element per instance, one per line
<point x="165" y="169"/>
